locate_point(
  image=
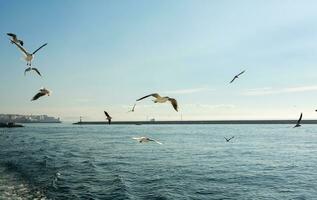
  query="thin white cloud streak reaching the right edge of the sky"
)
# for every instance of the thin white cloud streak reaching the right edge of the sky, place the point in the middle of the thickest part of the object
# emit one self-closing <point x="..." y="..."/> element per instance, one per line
<point x="271" y="91"/>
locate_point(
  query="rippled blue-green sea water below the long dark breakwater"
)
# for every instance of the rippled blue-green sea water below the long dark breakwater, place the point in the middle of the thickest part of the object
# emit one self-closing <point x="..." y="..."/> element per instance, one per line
<point x="63" y="161"/>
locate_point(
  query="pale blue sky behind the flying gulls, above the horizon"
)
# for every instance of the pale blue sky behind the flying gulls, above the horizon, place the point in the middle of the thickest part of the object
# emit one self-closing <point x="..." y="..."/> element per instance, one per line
<point x="102" y="55"/>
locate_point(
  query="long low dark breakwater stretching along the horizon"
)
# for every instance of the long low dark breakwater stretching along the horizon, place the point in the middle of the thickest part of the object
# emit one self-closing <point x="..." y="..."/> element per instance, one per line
<point x="197" y="122"/>
